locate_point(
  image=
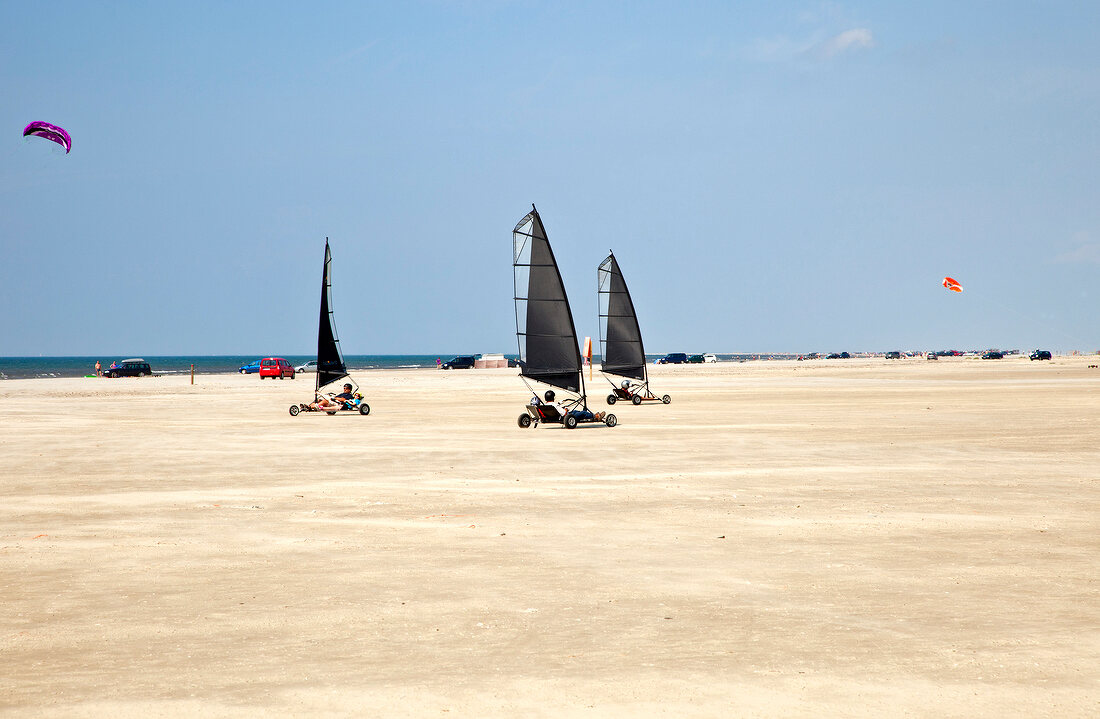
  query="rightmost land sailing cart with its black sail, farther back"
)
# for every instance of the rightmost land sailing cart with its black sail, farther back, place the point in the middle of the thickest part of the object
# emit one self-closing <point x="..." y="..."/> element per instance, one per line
<point x="621" y="339"/>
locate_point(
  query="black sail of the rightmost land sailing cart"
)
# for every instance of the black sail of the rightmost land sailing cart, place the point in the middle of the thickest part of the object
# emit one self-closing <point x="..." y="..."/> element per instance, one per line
<point x="621" y="337"/>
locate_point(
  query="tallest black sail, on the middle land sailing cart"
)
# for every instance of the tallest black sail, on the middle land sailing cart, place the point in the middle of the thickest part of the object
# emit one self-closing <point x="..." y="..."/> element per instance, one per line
<point x="548" y="350"/>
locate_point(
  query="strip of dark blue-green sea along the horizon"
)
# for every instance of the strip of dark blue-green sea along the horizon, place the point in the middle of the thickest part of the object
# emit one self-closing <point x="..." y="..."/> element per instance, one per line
<point x="32" y="368"/>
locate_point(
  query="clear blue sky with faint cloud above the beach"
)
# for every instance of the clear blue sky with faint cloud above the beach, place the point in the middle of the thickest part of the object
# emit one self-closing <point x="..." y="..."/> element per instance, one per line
<point x="772" y="176"/>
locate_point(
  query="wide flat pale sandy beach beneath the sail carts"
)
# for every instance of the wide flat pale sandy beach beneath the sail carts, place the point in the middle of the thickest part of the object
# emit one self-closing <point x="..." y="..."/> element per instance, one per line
<point x="859" y="538"/>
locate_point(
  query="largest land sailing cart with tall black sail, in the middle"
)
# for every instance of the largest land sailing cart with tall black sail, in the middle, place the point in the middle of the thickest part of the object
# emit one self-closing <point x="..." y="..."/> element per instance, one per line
<point x="546" y="334"/>
